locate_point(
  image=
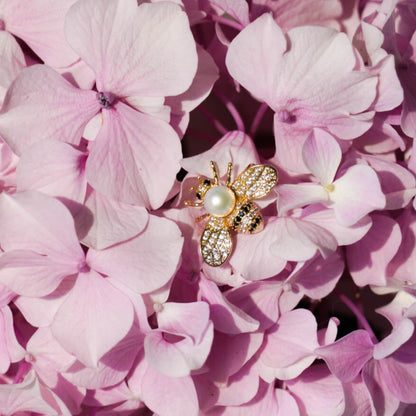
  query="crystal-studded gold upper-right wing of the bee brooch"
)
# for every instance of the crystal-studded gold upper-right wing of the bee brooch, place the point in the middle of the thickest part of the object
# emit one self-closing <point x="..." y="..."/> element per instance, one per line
<point x="255" y="182"/>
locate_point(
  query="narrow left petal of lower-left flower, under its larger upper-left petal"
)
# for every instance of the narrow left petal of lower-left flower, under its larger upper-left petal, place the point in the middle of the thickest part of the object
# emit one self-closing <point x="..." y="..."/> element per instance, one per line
<point x="28" y="273"/>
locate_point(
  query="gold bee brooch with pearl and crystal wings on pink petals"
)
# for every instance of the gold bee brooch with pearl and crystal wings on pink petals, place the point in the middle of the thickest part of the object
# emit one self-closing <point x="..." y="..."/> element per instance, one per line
<point x="230" y="207"/>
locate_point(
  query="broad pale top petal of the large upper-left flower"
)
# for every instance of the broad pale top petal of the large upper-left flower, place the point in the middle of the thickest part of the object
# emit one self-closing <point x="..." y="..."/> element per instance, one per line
<point x="153" y="47"/>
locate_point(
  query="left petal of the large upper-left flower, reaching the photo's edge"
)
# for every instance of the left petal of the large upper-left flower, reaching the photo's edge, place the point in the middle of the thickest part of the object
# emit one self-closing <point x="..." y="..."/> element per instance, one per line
<point x="41" y="104"/>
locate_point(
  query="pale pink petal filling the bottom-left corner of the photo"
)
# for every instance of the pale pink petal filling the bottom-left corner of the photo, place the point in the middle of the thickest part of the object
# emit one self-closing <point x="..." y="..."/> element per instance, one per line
<point x="25" y="397"/>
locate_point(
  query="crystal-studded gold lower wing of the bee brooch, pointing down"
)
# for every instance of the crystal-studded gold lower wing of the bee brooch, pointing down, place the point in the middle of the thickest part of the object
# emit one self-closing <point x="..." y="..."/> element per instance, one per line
<point x="216" y="243"/>
